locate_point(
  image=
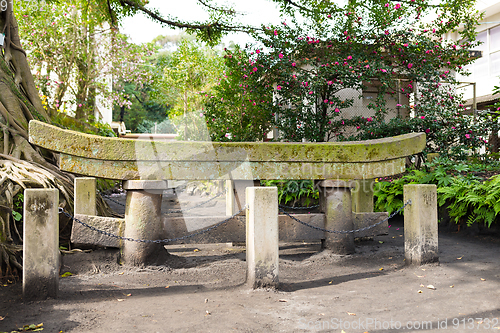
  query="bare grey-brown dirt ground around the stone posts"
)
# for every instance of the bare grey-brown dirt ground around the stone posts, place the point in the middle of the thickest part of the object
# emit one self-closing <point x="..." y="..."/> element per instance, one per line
<point x="203" y="290"/>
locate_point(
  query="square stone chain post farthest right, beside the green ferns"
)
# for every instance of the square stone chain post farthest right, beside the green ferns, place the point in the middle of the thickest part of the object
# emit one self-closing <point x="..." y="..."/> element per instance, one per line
<point x="421" y="224"/>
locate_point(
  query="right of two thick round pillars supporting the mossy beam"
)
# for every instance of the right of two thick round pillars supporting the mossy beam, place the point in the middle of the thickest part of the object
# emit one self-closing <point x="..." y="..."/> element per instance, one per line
<point x="335" y="202"/>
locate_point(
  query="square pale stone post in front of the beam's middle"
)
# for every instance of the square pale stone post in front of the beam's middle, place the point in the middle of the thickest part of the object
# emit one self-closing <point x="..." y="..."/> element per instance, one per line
<point x="262" y="237"/>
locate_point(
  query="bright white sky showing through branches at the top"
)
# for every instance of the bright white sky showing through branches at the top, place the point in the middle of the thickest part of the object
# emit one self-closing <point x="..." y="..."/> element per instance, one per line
<point x="142" y="30"/>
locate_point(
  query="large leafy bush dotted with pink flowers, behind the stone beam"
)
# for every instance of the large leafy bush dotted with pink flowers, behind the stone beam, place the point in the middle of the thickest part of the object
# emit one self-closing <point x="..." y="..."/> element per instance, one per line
<point x="307" y="63"/>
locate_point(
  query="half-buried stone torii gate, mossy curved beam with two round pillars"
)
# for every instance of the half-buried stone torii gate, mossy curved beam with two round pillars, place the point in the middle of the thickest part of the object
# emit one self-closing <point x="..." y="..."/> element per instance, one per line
<point x="144" y="166"/>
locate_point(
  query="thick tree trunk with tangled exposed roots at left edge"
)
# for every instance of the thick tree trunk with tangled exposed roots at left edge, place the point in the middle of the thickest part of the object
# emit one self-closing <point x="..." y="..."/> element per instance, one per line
<point x="21" y="164"/>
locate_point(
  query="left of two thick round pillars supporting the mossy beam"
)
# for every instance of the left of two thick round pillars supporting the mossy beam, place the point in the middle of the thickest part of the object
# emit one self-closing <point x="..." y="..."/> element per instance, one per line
<point x="143" y="221"/>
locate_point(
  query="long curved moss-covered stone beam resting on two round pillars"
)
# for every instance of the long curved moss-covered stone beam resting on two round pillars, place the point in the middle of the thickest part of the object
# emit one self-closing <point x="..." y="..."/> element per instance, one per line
<point x="148" y="159"/>
